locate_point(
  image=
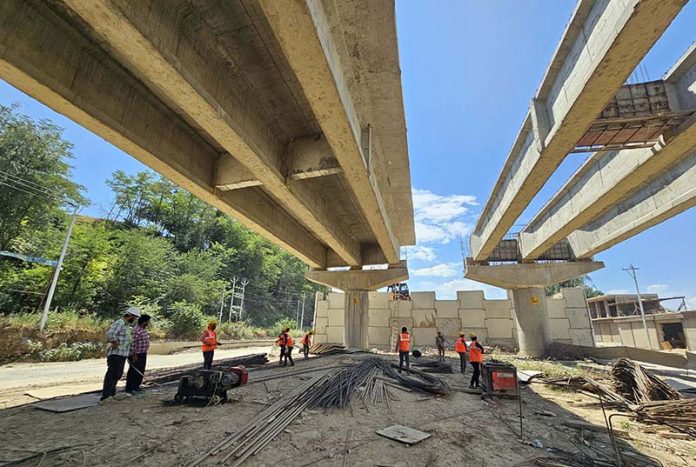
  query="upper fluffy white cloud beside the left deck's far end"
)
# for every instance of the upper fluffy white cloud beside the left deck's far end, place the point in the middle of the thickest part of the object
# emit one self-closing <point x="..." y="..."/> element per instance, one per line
<point x="440" y="219"/>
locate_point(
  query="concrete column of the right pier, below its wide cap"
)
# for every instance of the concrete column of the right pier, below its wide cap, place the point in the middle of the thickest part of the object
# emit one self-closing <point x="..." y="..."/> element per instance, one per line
<point x="533" y="333"/>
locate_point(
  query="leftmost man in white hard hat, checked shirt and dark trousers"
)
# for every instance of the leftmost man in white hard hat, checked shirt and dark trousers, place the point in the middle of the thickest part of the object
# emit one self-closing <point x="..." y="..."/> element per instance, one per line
<point x="119" y="338"/>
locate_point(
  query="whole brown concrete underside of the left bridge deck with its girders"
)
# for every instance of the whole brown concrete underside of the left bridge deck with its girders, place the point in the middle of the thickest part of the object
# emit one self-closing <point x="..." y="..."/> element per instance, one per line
<point x="287" y="120"/>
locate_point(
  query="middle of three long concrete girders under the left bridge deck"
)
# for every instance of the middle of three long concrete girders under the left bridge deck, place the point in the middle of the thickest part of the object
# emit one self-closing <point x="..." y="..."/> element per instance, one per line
<point x="148" y="38"/>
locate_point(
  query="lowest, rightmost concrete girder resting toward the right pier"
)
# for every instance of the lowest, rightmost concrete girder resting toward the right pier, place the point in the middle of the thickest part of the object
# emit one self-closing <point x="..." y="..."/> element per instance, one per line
<point x="668" y="195"/>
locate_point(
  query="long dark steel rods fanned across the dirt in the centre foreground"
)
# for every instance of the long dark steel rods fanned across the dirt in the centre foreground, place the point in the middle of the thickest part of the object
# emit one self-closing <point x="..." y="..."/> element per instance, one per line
<point x="333" y="390"/>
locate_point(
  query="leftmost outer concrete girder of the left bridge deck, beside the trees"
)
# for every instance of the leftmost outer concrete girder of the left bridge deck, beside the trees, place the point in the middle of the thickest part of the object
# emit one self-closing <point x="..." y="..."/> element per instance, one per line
<point x="46" y="58"/>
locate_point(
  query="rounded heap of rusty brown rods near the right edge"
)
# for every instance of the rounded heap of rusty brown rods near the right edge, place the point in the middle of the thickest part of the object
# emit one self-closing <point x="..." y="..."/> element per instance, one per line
<point x="637" y="385"/>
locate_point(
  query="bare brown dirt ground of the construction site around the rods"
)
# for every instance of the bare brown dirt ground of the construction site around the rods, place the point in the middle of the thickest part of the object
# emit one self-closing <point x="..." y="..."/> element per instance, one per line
<point x="464" y="429"/>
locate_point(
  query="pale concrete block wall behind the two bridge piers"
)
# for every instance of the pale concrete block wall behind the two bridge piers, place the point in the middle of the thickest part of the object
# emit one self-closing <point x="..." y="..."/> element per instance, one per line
<point x="492" y="320"/>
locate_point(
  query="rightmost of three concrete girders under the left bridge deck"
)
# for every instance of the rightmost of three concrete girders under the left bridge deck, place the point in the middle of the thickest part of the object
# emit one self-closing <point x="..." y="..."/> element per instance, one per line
<point x="305" y="36"/>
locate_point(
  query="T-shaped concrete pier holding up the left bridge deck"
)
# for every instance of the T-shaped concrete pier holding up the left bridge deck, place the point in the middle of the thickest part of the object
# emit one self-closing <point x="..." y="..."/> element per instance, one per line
<point x="357" y="283"/>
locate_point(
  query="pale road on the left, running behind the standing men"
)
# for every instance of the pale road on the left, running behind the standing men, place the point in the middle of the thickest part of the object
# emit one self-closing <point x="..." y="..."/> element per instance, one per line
<point x="26" y="382"/>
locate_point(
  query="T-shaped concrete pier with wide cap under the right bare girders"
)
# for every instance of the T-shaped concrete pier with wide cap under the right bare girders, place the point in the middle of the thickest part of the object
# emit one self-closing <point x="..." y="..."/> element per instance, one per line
<point x="527" y="282"/>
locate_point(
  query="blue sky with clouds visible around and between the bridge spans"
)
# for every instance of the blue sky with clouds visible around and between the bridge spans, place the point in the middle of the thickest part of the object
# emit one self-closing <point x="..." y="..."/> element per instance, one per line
<point x="469" y="71"/>
